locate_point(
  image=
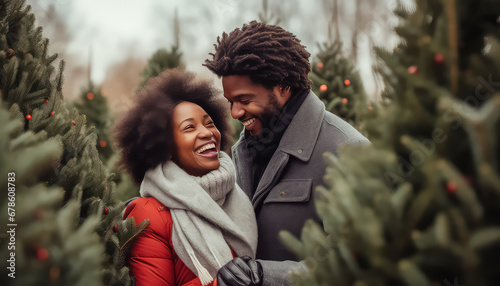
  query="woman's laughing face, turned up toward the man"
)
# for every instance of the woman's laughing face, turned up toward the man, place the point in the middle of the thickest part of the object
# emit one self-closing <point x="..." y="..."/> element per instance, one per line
<point x="197" y="140"/>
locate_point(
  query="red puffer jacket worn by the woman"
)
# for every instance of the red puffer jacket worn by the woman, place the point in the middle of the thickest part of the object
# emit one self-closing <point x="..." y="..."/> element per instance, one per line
<point x="153" y="261"/>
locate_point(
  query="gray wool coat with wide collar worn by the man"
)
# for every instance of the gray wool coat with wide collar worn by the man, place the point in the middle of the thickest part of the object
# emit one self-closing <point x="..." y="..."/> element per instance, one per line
<point x="283" y="199"/>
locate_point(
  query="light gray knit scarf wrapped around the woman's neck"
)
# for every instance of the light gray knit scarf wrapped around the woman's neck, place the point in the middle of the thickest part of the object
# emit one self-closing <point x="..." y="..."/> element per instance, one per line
<point x="208" y="213"/>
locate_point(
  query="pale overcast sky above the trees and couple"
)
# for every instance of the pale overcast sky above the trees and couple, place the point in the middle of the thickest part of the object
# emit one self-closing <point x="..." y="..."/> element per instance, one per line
<point x="118" y="29"/>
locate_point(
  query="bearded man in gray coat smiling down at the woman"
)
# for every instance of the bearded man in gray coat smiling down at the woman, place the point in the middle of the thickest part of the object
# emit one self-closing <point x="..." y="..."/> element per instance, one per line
<point x="278" y="157"/>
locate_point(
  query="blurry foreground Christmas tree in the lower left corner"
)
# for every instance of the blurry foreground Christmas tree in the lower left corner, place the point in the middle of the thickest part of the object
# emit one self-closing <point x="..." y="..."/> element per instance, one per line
<point x="41" y="239"/>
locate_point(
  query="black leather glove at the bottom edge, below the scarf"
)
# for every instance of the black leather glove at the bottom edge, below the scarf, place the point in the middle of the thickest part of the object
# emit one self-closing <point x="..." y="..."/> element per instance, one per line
<point x="241" y="271"/>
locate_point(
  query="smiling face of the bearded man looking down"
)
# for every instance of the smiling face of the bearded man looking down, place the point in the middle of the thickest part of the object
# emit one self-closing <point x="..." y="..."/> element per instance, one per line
<point x="253" y="104"/>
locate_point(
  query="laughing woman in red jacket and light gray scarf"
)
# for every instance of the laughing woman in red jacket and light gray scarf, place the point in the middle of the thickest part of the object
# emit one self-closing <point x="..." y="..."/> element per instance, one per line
<point x="199" y="219"/>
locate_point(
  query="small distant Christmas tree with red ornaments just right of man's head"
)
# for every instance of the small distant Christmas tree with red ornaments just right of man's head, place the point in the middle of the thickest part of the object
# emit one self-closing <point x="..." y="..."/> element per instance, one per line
<point x="336" y="82"/>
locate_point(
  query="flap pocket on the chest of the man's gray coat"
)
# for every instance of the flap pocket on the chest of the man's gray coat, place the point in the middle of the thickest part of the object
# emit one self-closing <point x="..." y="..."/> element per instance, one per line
<point x="288" y="191"/>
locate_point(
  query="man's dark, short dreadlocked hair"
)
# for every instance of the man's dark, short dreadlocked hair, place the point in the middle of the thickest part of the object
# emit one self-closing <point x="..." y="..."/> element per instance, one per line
<point x="268" y="54"/>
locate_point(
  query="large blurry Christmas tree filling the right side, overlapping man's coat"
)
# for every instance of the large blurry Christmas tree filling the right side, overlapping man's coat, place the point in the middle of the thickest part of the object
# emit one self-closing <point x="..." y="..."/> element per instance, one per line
<point x="421" y="205"/>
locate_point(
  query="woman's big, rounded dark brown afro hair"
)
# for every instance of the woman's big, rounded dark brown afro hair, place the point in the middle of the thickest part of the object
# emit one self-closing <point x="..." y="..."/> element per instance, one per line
<point x="144" y="134"/>
